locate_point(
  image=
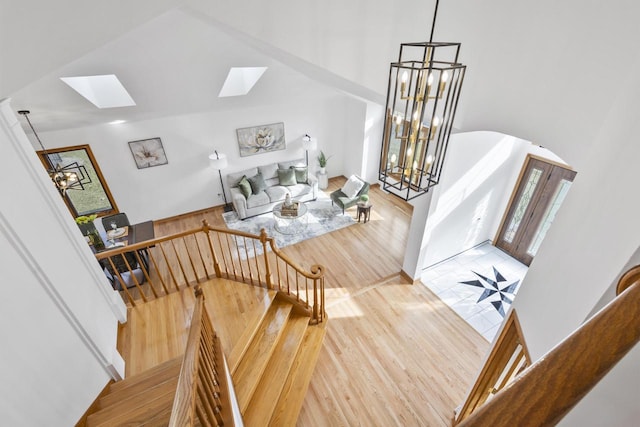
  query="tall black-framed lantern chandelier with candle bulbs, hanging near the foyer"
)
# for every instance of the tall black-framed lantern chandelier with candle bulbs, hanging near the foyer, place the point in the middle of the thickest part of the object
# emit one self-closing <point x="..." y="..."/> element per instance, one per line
<point x="422" y="96"/>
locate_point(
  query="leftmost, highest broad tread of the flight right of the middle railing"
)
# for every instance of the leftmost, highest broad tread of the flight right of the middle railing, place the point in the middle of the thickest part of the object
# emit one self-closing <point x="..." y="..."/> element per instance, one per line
<point x="256" y="357"/>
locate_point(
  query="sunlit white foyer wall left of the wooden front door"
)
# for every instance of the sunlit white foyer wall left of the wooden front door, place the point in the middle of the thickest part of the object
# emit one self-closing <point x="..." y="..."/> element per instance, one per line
<point x="477" y="181"/>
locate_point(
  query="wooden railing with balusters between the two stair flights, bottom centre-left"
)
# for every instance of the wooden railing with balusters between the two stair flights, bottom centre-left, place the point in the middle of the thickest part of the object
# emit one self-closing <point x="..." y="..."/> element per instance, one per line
<point x="202" y="393"/>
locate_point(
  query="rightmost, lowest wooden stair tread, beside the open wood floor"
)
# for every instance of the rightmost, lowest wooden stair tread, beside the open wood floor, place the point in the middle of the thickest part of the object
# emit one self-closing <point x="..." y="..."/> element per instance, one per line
<point x="294" y="391"/>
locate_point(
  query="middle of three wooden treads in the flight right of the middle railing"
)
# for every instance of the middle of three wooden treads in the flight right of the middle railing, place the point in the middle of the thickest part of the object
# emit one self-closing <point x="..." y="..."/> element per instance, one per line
<point x="275" y="375"/>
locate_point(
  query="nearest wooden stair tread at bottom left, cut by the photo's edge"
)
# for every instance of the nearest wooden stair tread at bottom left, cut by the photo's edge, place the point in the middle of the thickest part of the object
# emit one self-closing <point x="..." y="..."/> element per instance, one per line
<point x="137" y="409"/>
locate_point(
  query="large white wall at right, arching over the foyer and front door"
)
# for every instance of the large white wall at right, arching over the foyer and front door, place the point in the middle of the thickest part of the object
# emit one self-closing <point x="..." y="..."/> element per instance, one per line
<point x="539" y="70"/>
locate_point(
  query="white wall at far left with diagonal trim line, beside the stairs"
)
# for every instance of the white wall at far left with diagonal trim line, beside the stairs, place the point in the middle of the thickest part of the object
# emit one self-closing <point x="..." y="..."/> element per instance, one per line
<point x="59" y="316"/>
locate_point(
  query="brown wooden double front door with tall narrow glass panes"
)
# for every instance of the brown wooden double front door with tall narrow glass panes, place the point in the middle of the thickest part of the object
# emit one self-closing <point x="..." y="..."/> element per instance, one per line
<point x="539" y="193"/>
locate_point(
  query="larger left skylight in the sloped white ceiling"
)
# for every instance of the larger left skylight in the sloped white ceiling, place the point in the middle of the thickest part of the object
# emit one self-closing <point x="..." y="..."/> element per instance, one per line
<point x="102" y="91"/>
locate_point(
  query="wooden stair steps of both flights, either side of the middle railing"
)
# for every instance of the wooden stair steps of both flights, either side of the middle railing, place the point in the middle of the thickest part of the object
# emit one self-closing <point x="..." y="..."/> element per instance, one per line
<point x="271" y="366"/>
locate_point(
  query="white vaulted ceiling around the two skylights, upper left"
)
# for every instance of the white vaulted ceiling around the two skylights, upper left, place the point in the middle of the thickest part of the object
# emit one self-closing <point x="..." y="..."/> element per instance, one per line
<point x="173" y="56"/>
